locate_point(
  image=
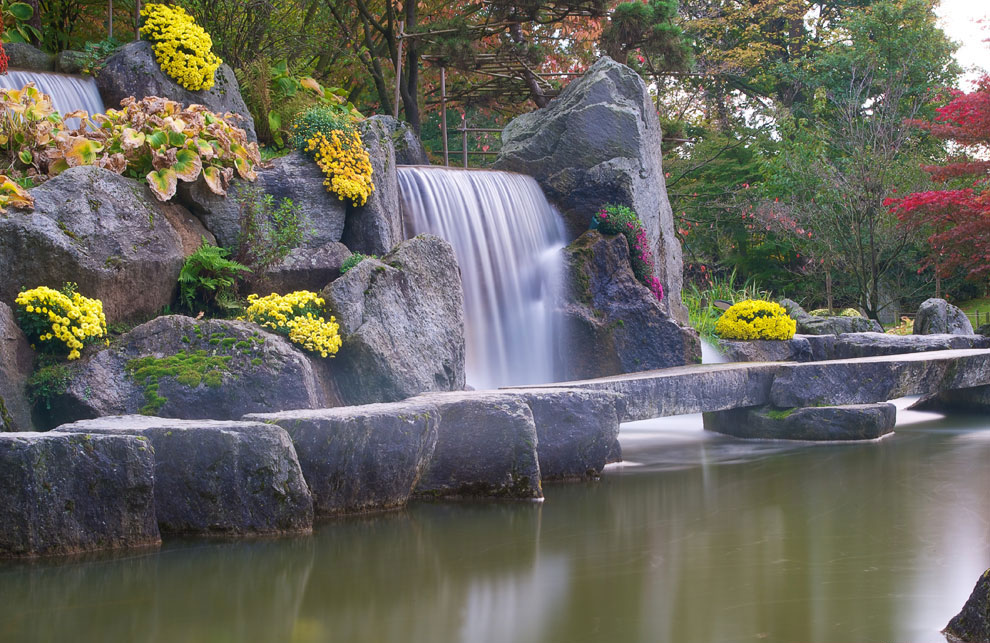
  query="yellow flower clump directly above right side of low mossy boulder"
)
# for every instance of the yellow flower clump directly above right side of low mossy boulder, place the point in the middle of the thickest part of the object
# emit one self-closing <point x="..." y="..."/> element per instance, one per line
<point x="298" y="316"/>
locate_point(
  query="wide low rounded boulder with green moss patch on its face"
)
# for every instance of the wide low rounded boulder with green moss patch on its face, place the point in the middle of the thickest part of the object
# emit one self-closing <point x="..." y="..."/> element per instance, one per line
<point x="179" y="367"/>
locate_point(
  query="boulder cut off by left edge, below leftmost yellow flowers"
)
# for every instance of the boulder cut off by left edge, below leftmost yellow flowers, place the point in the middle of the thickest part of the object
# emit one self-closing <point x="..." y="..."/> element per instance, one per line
<point x="16" y="364"/>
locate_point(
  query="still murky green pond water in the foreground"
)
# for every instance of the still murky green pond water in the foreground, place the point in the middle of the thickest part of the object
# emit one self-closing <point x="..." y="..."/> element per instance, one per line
<point x="698" y="537"/>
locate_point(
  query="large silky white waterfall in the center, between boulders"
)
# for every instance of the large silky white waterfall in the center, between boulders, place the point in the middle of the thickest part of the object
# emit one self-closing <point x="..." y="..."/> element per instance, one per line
<point x="507" y="238"/>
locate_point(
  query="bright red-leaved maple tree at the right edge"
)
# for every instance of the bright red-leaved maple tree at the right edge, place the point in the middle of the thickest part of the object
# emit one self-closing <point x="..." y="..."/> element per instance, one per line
<point x="958" y="220"/>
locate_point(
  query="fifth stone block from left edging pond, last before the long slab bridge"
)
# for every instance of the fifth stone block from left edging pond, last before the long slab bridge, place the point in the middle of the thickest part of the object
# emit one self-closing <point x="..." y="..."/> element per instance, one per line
<point x="577" y="430"/>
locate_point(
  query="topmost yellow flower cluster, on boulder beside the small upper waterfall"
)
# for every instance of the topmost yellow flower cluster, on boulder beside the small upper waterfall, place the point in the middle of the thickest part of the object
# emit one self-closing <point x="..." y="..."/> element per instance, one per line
<point x="182" y="48"/>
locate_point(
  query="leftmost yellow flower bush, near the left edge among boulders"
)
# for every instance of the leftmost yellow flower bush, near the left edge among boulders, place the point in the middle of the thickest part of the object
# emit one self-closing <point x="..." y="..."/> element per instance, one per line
<point x="58" y="321"/>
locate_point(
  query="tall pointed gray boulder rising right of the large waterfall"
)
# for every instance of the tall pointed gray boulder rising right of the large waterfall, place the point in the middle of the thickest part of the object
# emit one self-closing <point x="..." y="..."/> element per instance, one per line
<point x="600" y="142"/>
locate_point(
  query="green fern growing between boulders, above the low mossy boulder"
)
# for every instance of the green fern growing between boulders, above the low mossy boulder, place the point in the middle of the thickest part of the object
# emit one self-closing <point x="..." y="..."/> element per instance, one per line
<point x="208" y="280"/>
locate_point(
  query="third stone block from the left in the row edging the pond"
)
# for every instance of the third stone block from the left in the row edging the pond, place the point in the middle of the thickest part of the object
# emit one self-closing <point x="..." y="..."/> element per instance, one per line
<point x="361" y="458"/>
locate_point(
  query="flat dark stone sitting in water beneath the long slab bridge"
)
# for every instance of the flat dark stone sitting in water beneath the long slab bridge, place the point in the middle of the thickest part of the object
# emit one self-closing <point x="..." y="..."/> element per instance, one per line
<point x="826" y="423"/>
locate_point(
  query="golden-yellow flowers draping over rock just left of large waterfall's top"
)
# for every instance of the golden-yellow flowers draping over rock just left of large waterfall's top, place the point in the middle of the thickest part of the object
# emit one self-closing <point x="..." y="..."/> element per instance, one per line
<point x="345" y="163"/>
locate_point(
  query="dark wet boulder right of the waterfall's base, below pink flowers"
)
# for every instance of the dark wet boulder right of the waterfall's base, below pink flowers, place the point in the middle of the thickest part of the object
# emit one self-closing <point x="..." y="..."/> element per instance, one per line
<point x="607" y="308"/>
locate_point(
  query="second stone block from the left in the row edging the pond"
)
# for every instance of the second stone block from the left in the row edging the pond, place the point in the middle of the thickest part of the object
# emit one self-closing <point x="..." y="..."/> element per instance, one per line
<point x="217" y="477"/>
